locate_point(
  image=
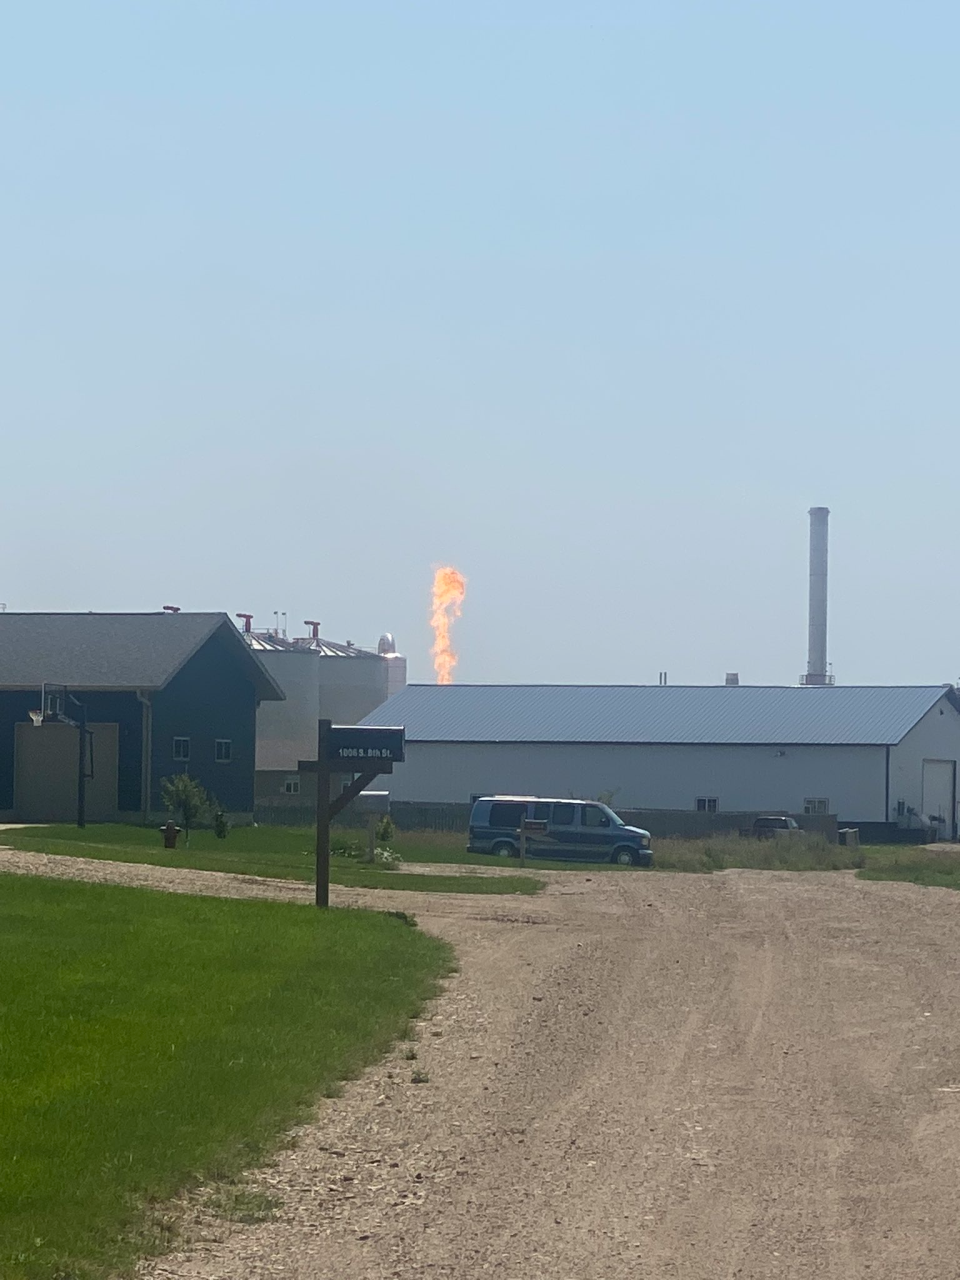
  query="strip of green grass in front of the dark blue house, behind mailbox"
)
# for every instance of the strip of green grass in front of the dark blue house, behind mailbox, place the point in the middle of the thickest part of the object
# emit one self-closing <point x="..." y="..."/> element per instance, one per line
<point x="285" y="853"/>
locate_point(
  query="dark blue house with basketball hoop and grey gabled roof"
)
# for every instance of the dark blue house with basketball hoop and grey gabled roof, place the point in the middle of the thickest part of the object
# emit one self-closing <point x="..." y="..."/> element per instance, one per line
<point x="164" y="693"/>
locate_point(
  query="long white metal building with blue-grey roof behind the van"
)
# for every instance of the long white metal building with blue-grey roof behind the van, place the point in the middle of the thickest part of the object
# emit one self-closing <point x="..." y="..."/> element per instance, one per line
<point x="866" y="755"/>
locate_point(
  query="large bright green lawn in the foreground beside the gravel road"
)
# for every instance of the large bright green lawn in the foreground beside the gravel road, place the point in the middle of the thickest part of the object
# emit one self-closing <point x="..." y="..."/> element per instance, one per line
<point x="152" y="1040"/>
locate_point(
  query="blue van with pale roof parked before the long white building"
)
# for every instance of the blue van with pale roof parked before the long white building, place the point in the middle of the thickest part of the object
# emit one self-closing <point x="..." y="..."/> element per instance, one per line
<point x="578" y="831"/>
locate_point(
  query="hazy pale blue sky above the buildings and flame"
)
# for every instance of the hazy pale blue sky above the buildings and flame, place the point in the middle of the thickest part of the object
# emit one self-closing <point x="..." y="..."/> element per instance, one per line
<point x="593" y="301"/>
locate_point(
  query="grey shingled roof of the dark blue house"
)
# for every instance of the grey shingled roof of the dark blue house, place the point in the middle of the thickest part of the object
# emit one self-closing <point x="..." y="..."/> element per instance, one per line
<point x="115" y="651"/>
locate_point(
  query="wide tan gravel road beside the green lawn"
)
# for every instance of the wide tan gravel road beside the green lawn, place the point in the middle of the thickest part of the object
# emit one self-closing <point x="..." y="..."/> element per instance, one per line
<point x="748" y="1076"/>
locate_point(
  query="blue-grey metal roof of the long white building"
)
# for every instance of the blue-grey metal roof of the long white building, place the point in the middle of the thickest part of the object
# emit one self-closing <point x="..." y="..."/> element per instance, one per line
<point x="655" y="714"/>
